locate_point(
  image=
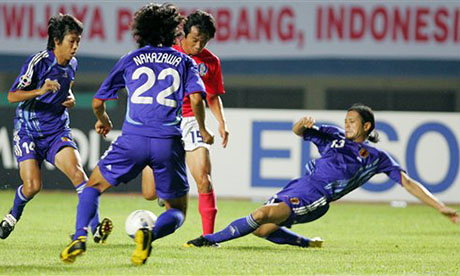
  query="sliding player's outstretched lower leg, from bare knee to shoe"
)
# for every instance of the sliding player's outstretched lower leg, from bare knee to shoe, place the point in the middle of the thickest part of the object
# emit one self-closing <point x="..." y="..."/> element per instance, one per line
<point x="272" y="214"/>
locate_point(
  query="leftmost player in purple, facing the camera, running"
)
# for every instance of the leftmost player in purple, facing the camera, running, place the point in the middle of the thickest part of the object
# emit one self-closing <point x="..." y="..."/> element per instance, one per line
<point x="43" y="90"/>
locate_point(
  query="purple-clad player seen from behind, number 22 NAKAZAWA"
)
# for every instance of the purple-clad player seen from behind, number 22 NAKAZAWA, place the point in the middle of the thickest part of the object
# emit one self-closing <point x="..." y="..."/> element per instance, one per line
<point x="157" y="78"/>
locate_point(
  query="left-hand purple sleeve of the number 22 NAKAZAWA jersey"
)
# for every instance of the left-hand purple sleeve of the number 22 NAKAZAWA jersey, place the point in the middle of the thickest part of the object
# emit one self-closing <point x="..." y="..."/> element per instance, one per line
<point x="113" y="83"/>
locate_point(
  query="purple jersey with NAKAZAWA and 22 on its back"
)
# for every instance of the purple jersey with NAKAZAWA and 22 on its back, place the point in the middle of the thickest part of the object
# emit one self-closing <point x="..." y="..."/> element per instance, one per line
<point x="156" y="78"/>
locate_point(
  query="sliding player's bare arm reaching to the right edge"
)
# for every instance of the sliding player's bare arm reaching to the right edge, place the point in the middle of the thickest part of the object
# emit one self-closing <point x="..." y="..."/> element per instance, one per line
<point x="417" y="189"/>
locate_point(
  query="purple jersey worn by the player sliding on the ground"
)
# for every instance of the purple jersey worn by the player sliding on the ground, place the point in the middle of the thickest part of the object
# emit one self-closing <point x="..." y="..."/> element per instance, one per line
<point x="345" y="165"/>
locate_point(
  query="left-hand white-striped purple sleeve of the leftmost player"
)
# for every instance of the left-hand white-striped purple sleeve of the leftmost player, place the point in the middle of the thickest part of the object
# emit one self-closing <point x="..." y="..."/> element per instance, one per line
<point x="30" y="74"/>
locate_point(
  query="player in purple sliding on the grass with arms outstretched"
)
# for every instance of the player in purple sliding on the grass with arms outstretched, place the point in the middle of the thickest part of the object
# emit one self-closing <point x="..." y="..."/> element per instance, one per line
<point x="347" y="161"/>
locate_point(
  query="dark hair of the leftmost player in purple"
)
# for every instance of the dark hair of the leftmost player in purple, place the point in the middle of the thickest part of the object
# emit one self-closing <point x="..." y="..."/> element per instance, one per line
<point x="61" y="25"/>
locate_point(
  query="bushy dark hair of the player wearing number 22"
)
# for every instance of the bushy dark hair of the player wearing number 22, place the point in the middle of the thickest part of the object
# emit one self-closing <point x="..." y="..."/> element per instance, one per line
<point x="156" y="25"/>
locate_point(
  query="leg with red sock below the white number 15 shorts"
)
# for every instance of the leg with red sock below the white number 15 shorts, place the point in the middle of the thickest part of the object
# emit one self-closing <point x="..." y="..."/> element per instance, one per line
<point x="199" y="163"/>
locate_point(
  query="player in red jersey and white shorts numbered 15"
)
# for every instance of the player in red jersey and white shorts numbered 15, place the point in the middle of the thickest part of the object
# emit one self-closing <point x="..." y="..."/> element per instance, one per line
<point x="199" y="29"/>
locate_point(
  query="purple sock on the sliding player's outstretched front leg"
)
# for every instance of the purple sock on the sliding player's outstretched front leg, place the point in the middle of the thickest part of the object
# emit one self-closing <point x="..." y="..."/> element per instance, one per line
<point x="238" y="228"/>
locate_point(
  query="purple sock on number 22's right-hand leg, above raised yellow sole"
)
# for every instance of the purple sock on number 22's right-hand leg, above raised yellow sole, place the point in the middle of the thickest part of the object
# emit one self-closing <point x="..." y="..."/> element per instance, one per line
<point x="167" y="223"/>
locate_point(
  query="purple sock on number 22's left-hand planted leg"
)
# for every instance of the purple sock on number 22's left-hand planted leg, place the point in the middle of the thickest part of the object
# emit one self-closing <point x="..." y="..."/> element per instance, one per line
<point x="87" y="208"/>
